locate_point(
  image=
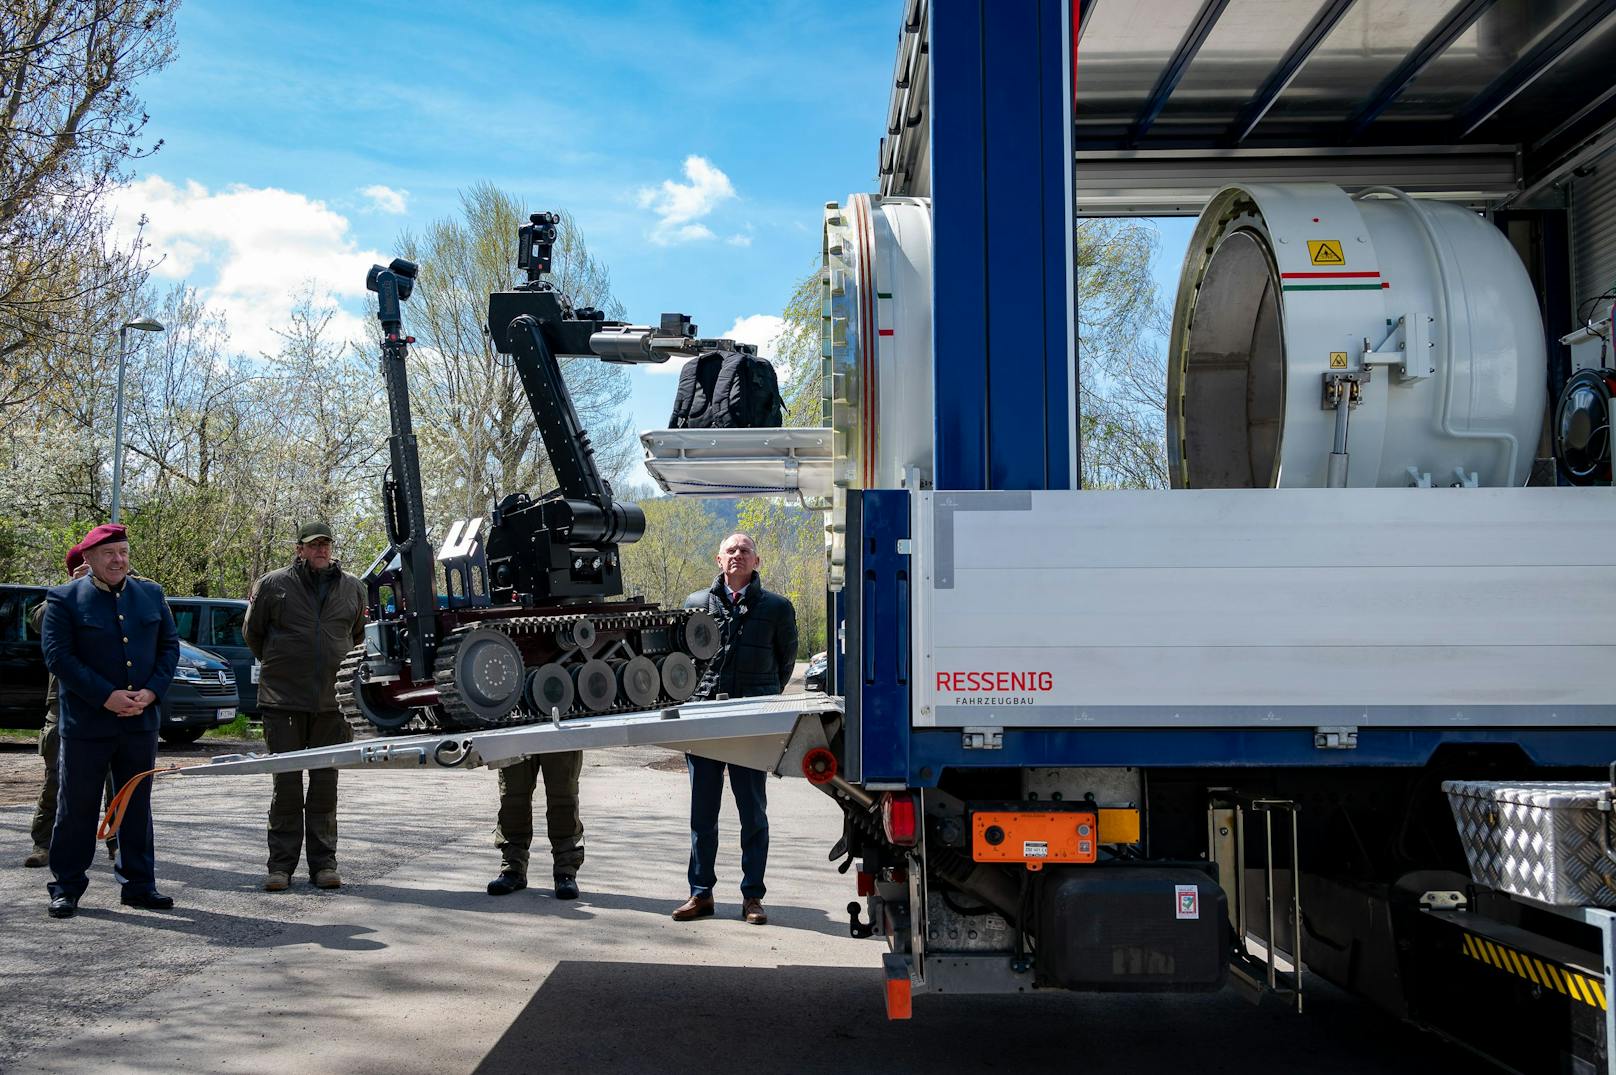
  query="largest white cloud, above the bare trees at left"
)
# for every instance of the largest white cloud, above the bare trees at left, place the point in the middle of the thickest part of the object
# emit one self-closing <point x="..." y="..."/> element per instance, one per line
<point x="251" y="253"/>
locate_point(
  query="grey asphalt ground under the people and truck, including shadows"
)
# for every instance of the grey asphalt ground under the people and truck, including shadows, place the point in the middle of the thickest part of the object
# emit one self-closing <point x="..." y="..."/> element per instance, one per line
<point x="413" y="967"/>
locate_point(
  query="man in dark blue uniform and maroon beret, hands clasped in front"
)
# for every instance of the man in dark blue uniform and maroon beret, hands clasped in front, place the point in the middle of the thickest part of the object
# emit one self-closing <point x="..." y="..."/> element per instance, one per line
<point x="111" y="643"/>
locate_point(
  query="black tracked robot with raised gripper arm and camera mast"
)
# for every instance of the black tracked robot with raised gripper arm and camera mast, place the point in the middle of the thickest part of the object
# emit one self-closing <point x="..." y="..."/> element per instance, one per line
<point x="518" y="625"/>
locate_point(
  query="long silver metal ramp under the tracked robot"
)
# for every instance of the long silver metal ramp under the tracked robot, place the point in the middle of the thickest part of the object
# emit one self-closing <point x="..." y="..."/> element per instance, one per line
<point x="770" y="733"/>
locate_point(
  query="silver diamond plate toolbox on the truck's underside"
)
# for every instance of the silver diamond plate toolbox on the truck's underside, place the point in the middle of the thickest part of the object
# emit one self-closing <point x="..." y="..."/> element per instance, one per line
<point x="1549" y="841"/>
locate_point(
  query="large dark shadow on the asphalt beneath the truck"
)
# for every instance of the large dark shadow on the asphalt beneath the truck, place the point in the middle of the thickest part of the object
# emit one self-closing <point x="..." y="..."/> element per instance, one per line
<point x="831" y="1019"/>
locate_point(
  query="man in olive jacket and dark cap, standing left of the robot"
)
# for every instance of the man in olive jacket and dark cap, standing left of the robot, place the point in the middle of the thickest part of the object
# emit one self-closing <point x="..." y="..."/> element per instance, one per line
<point x="301" y="623"/>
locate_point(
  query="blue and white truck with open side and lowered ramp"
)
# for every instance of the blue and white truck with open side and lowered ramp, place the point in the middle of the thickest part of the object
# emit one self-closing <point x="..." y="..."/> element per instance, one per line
<point x="1336" y="704"/>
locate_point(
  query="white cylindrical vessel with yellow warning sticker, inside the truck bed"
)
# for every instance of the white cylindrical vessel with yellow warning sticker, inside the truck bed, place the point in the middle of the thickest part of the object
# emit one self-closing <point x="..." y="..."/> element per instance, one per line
<point x="1370" y="342"/>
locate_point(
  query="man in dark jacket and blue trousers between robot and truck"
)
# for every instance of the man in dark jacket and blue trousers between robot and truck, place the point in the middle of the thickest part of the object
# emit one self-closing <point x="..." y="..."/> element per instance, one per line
<point x="760" y="649"/>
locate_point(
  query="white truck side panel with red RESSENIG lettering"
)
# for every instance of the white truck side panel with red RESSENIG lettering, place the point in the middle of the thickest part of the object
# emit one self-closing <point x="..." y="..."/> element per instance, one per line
<point x="1266" y="607"/>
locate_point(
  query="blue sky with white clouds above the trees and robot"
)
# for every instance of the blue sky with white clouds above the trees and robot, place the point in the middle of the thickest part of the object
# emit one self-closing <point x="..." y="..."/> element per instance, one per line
<point x="696" y="145"/>
